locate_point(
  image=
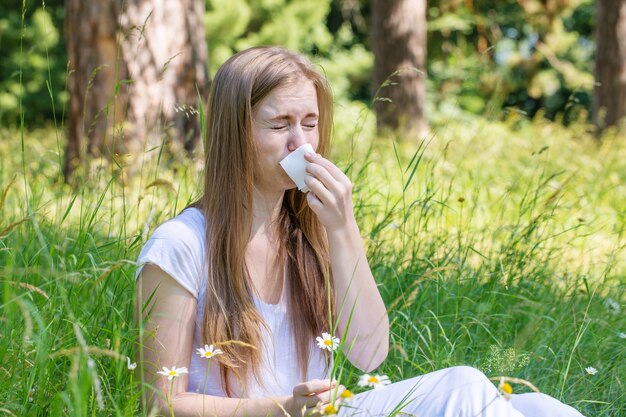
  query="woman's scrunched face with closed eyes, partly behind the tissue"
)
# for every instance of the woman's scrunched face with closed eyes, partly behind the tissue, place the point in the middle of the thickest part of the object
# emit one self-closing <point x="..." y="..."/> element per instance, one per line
<point x="284" y="120"/>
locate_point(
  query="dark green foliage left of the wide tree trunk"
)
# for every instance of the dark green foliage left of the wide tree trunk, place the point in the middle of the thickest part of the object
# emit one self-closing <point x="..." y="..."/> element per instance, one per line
<point x="32" y="61"/>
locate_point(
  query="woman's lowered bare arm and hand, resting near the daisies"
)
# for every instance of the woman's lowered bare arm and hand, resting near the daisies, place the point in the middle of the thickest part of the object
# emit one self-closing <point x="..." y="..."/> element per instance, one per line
<point x="169" y="312"/>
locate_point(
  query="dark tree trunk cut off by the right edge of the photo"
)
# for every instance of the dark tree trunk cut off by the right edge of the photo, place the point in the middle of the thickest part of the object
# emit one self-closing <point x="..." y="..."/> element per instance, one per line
<point x="610" y="91"/>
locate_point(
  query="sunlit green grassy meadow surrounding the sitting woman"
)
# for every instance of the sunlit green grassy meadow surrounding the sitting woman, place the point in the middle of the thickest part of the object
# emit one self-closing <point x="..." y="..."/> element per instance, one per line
<point x="498" y="244"/>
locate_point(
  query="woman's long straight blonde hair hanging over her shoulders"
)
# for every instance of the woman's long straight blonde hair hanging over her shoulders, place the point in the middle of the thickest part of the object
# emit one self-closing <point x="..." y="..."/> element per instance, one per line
<point x="230" y="313"/>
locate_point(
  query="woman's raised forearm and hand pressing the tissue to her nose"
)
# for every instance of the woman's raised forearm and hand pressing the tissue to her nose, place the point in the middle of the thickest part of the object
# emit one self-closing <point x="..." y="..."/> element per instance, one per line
<point x="355" y="289"/>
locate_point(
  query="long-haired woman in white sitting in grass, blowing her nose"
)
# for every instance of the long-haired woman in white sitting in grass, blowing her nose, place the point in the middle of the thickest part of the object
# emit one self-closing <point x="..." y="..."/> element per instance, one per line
<point x="257" y="261"/>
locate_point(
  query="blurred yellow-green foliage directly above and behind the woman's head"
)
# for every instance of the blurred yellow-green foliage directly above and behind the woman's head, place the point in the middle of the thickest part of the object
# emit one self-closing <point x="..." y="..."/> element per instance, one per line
<point x="300" y="25"/>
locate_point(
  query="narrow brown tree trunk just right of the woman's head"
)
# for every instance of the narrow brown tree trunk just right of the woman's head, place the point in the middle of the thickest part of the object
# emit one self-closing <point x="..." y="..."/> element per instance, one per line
<point x="399" y="44"/>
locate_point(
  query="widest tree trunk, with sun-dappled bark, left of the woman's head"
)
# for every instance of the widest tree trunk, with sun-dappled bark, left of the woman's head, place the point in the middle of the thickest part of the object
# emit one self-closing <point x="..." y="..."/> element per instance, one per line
<point x="136" y="68"/>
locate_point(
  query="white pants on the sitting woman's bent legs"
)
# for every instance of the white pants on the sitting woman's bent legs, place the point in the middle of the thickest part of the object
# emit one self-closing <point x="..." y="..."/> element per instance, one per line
<point x="460" y="391"/>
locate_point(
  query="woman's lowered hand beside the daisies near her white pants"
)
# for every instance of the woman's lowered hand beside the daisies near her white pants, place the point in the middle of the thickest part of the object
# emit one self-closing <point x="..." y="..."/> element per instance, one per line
<point x="309" y="395"/>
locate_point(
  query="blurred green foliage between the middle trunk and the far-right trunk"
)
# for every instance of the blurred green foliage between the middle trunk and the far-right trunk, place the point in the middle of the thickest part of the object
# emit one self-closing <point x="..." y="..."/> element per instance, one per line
<point x="533" y="56"/>
